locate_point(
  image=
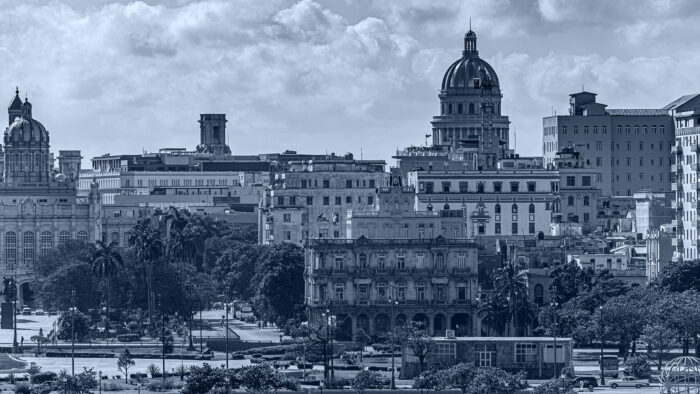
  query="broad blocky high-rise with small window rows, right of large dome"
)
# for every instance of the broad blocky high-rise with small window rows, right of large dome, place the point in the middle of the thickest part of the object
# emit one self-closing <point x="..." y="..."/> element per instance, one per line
<point x="630" y="147"/>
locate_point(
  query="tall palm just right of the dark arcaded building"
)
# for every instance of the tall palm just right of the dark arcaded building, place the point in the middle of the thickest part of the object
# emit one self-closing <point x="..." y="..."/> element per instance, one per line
<point x="511" y="283"/>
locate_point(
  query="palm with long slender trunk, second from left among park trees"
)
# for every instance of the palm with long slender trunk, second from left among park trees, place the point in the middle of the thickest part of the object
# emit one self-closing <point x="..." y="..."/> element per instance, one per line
<point x="146" y="243"/>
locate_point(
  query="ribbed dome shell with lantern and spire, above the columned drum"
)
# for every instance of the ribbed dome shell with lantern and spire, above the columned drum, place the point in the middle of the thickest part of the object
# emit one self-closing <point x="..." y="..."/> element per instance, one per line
<point x="463" y="72"/>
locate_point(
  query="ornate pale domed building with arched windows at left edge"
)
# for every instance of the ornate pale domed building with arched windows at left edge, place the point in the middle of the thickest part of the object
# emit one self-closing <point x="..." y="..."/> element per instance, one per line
<point x="39" y="206"/>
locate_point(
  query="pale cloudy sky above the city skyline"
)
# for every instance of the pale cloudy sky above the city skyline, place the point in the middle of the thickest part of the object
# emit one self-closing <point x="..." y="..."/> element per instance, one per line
<point x="360" y="76"/>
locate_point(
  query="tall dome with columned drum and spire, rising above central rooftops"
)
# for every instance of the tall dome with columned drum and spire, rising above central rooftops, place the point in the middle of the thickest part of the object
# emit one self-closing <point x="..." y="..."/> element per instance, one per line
<point x="470" y="119"/>
